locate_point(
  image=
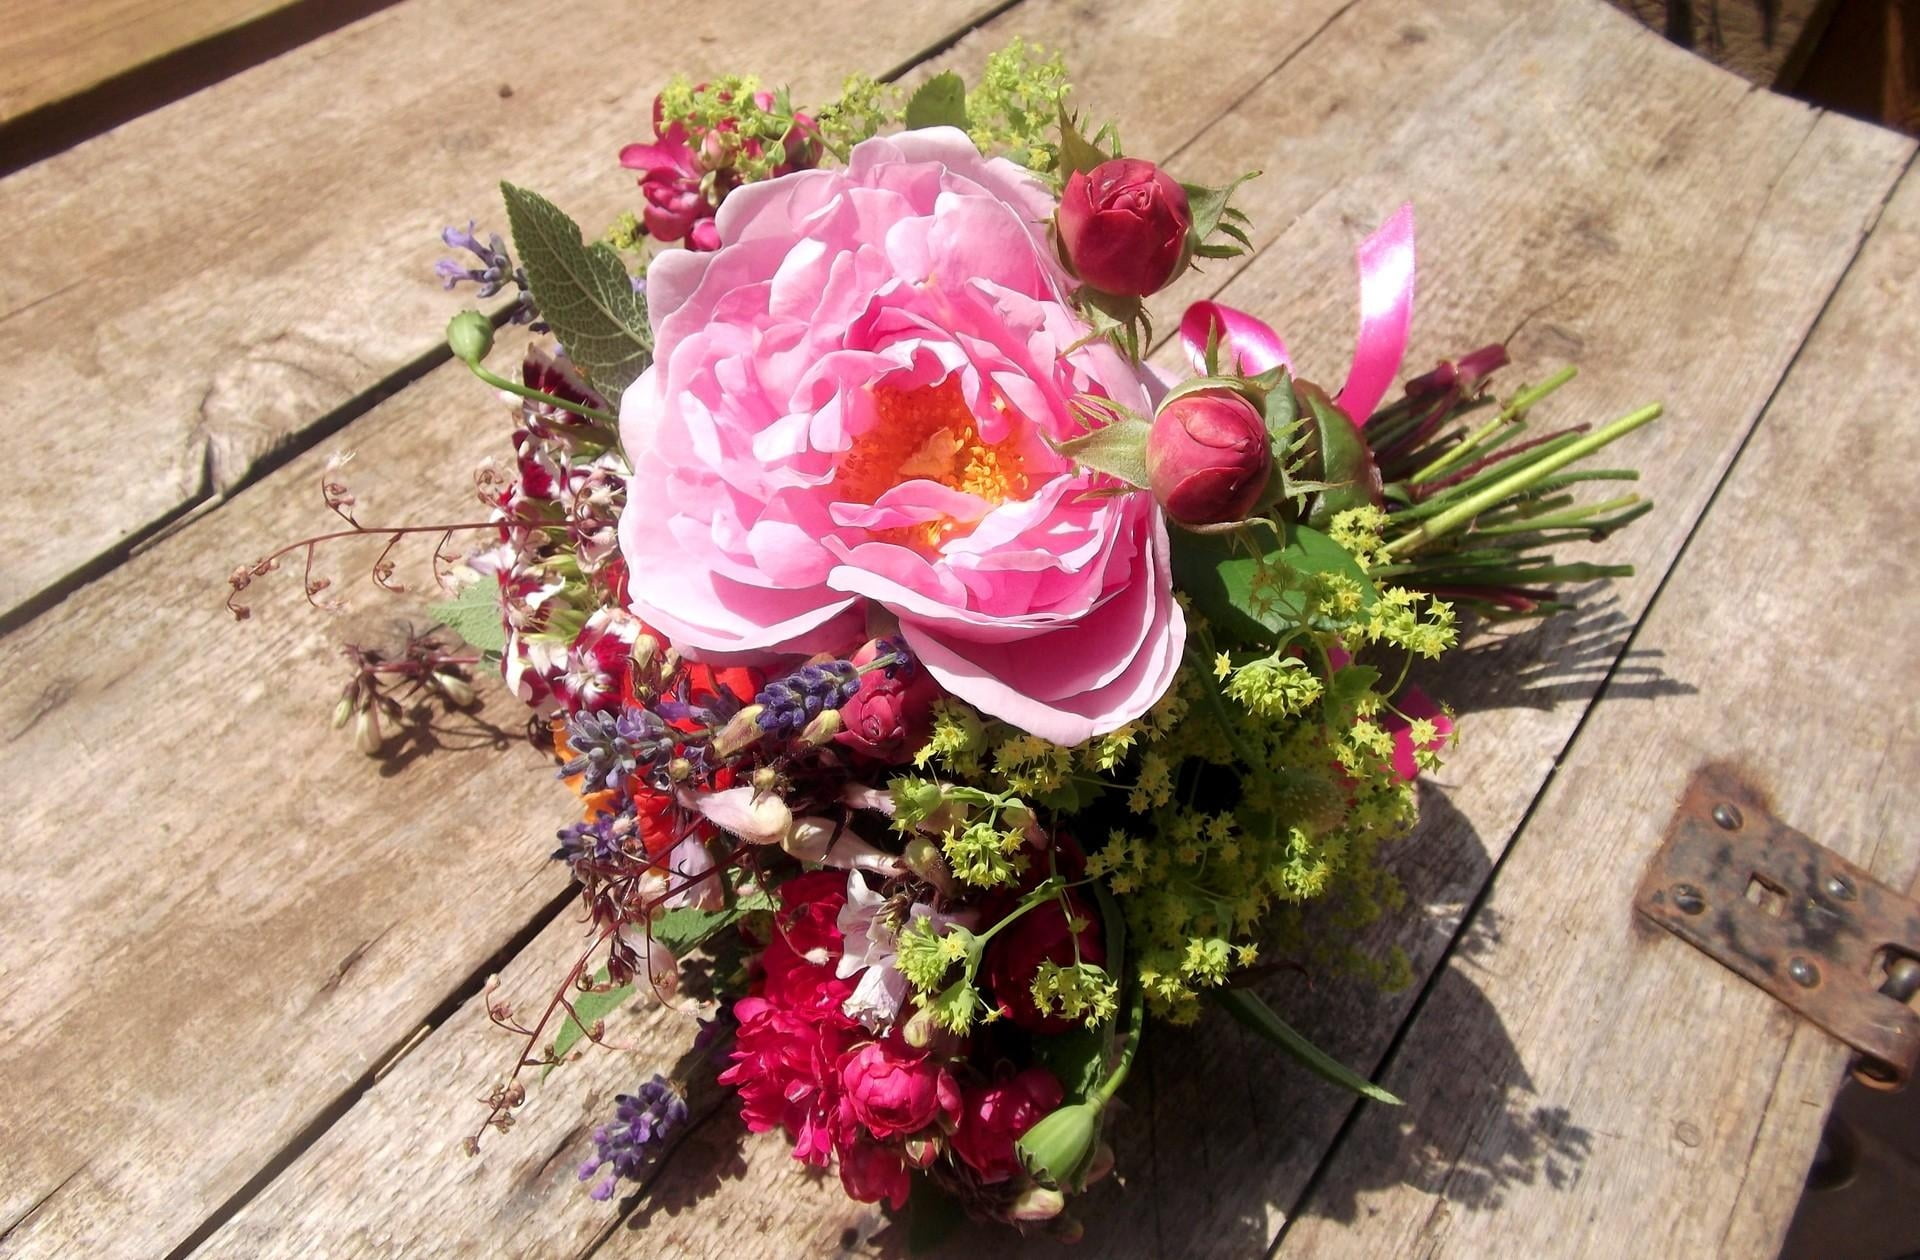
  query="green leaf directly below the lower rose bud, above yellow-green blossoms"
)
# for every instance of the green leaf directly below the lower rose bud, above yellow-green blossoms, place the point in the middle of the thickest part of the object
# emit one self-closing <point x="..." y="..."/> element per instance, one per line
<point x="1220" y="581"/>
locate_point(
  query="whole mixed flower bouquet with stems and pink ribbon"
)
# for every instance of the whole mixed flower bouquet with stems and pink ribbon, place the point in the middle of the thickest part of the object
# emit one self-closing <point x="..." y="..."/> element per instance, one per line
<point x="965" y="692"/>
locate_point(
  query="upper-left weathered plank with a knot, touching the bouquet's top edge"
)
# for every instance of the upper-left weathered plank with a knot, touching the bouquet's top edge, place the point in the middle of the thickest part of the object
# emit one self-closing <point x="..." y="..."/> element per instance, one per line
<point x="195" y="289"/>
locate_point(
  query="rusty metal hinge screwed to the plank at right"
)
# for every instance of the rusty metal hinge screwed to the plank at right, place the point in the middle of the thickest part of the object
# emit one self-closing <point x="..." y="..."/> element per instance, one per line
<point x="1794" y="917"/>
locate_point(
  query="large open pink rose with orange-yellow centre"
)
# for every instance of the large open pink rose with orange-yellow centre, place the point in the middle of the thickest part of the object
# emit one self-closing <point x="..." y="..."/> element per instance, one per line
<point x="852" y="404"/>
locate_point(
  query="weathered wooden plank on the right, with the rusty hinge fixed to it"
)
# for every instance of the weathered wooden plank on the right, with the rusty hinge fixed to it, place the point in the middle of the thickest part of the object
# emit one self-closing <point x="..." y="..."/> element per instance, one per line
<point x="1700" y="1098"/>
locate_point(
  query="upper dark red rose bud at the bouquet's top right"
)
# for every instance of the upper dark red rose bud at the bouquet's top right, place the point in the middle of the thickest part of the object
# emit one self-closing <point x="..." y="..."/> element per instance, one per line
<point x="1124" y="228"/>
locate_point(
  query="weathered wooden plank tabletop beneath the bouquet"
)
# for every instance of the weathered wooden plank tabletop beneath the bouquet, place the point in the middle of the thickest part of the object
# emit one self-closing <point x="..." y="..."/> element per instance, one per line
<point x="241" y="963"/>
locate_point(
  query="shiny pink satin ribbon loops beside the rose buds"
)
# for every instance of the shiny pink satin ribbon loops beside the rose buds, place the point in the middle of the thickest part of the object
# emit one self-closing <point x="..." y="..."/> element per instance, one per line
<point x="1385" y="262"/>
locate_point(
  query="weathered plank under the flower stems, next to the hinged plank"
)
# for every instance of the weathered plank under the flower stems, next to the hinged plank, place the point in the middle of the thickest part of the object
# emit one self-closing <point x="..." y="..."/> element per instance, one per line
<point x="1558" y="195"/>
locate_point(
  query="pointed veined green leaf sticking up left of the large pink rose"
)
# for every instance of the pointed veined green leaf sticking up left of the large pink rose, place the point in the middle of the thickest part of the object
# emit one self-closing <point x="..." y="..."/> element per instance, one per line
<point x="583" y="291"/>
